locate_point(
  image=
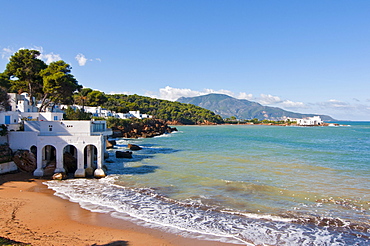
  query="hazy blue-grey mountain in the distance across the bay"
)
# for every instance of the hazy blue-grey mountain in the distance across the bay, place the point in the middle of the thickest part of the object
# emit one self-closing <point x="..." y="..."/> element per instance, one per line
<point x="227" y="107"/>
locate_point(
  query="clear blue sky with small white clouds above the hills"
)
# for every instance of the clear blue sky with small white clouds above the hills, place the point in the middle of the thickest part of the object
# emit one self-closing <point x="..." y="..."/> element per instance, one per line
<point x="303" y="56"/>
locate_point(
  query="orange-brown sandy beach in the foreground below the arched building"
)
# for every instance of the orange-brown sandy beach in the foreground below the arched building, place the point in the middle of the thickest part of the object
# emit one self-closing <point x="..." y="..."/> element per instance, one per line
<point x="31" y="214"/>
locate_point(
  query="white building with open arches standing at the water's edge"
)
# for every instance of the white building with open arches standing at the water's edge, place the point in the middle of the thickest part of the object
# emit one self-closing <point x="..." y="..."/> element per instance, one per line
<point x="49" y="140"/>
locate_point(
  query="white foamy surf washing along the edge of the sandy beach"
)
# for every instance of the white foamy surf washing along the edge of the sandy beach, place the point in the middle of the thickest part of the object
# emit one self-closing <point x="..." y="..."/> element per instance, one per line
<point x="148" y="208"/>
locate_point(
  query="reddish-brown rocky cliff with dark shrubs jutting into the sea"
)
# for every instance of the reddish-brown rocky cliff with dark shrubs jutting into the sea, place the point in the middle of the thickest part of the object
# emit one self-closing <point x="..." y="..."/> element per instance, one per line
<point x="150" y="128"/>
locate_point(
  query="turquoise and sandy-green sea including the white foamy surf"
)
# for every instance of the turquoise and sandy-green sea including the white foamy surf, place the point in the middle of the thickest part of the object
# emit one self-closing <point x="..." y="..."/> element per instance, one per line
<point x="240" y="184"/>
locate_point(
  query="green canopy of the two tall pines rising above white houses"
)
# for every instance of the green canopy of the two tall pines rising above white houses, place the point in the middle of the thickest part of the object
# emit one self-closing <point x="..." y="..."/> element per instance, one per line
<point x="48" y="83"/>
